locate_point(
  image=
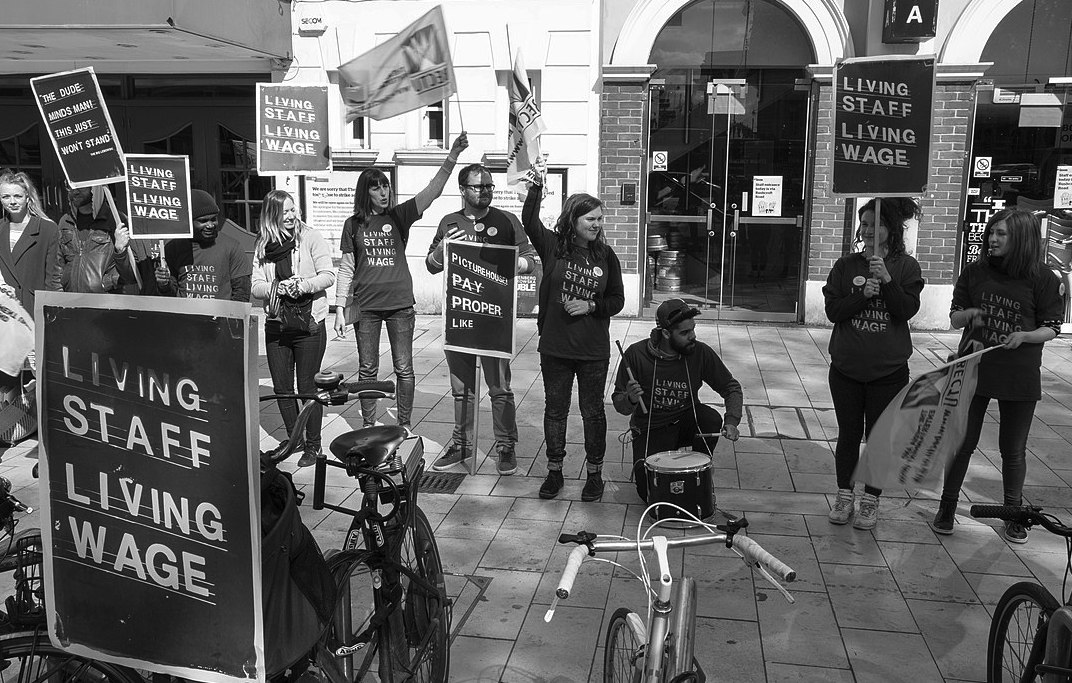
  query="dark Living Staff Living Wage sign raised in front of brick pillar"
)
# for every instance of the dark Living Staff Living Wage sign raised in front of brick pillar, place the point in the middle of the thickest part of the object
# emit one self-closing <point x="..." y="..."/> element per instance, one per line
<point x="883" y="110"/>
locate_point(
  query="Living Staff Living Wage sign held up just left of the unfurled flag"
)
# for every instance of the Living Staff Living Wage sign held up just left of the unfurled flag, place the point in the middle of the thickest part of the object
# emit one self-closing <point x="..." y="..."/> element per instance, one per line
<point x="292" y="129"/>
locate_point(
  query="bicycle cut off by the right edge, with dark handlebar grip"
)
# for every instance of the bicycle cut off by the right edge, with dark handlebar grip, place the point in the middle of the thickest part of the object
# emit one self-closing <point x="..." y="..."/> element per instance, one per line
<point x="1031" y="632"/>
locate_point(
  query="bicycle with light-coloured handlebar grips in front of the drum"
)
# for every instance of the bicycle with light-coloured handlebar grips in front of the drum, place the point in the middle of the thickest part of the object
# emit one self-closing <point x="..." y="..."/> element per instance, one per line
<point x="661" y="649"/>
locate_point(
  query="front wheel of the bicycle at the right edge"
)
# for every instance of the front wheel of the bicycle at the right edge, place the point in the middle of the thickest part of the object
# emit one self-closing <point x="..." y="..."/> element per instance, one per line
<point x="1014" y="649"/>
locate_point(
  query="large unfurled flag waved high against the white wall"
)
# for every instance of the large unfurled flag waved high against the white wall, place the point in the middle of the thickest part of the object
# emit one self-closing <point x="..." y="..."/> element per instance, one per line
<point x="410" y="71"/>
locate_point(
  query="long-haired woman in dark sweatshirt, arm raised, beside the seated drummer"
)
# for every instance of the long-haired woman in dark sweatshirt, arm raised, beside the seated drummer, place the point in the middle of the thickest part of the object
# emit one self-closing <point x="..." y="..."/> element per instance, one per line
<point x="582" y="290"/>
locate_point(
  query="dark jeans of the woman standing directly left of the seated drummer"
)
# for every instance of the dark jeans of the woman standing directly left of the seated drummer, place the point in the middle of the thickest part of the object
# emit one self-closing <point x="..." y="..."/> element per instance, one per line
<point x="558" y="393"/>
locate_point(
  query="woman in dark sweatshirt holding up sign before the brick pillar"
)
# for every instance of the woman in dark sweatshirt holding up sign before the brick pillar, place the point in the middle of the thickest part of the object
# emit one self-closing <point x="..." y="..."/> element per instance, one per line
<point x="870" y="295"/>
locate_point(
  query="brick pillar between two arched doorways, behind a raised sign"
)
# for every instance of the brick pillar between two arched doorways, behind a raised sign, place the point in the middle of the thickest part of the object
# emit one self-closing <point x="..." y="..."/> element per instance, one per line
<point x="936" y="242"/>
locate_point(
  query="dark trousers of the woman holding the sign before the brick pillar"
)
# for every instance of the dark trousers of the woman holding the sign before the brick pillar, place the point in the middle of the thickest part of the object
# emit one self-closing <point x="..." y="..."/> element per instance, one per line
<point x="857" y="406"/>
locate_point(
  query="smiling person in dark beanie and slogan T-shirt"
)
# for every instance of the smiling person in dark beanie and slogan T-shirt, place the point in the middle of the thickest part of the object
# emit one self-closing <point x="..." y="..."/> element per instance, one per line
<point x="210" y="266"/>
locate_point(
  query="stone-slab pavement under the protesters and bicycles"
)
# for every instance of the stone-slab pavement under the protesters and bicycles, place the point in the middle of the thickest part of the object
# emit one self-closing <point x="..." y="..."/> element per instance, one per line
<point x="898" y="604"/>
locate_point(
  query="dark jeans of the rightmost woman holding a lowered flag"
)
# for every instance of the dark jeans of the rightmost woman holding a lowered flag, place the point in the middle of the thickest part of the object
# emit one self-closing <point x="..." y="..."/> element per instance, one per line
<point x="1016" y="424"/>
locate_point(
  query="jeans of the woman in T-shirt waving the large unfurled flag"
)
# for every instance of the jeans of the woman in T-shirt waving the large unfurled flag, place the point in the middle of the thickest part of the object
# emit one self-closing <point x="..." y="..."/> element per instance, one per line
<point x="400" y="326"/>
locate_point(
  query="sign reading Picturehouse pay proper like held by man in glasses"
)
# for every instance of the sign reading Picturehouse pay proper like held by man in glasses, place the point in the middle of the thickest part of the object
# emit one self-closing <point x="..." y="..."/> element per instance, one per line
<point x="481" y="303"/>
